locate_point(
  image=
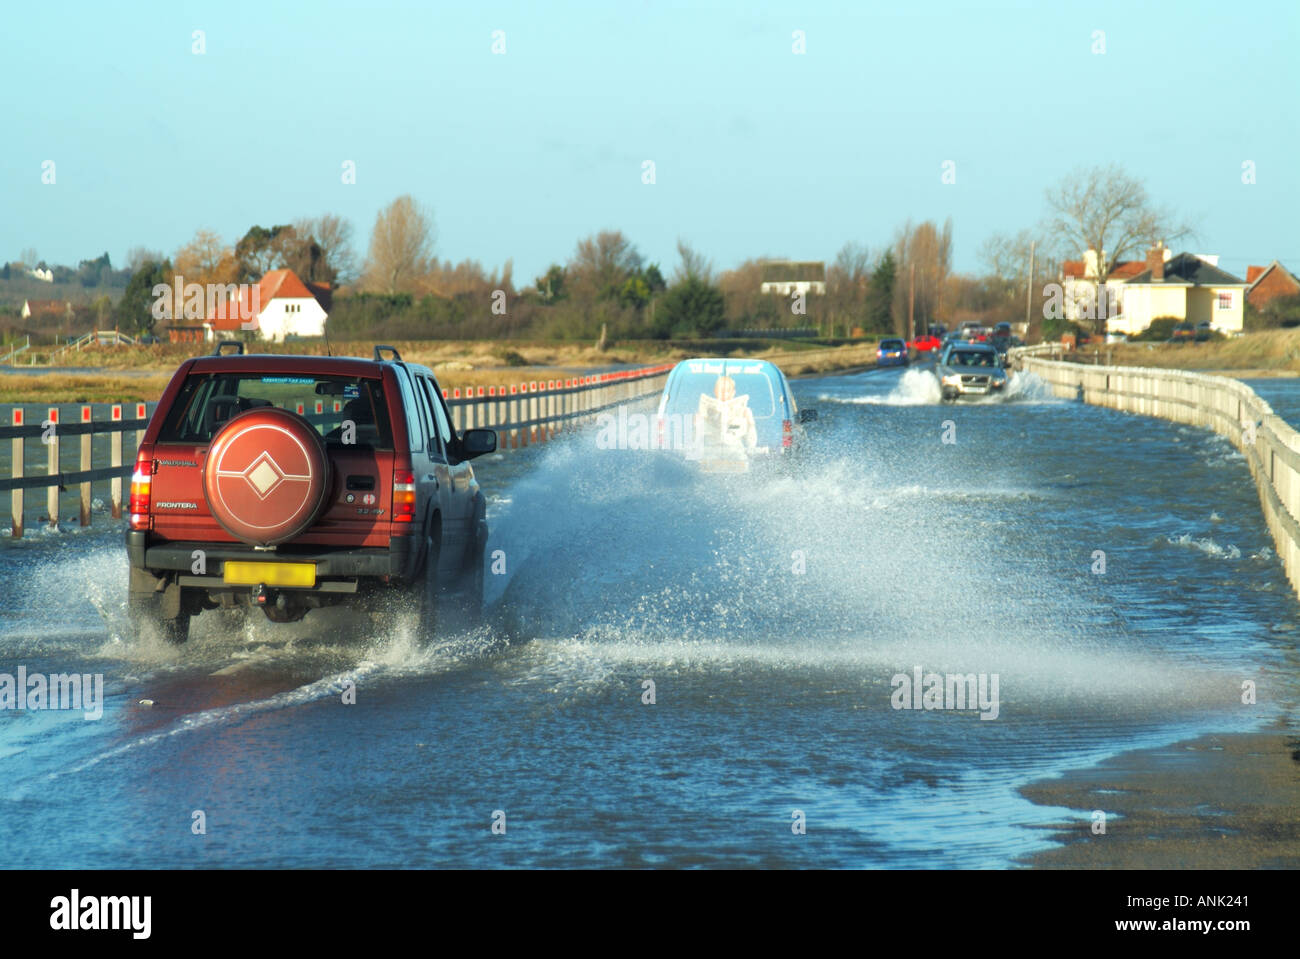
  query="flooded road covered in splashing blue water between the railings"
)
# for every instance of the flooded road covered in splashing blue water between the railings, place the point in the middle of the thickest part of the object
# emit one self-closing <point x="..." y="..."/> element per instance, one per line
<point x="1112" y="572"/>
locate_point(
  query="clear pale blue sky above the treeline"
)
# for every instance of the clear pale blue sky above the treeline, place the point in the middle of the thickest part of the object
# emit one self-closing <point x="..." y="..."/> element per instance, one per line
<point x="757" y="151"/>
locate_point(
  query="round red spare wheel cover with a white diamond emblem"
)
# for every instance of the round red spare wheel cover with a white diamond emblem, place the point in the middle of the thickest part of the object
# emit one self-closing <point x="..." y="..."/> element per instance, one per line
<point x="266" y="476"/>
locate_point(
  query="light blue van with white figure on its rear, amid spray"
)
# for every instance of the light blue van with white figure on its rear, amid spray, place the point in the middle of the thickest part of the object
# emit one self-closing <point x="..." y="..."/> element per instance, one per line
<point x="731" y="414"/>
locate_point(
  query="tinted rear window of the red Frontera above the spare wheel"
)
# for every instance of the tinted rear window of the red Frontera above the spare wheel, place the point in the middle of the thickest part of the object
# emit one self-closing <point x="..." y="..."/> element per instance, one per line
<point x="207" y="401"/>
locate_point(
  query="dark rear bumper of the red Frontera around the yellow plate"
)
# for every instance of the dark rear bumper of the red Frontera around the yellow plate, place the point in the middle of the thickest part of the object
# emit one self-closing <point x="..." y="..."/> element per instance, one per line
<point x="353" y="563"/>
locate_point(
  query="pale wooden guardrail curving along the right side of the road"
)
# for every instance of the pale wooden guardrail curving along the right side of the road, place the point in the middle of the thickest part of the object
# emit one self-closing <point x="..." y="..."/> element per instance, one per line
<point x="1225" y="406"/>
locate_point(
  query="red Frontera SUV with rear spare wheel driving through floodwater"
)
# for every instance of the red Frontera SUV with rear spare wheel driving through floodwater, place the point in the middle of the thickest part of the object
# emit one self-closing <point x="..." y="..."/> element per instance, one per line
<point x="293" y="483"/>
